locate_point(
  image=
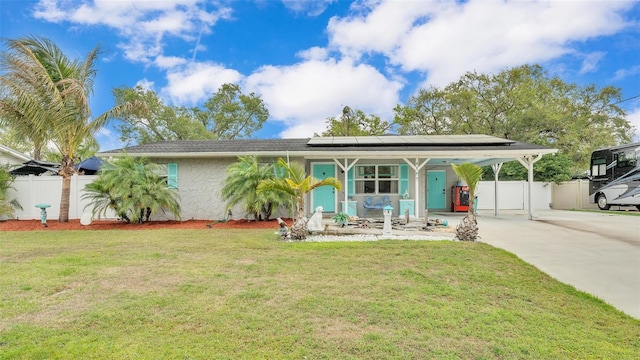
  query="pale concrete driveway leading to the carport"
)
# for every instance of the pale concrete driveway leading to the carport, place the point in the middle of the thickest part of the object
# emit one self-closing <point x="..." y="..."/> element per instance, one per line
<point x="597" y="253"/>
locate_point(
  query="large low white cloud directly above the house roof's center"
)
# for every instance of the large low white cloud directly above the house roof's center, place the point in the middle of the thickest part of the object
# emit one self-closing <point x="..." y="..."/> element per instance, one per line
<point x="305" y="94"/>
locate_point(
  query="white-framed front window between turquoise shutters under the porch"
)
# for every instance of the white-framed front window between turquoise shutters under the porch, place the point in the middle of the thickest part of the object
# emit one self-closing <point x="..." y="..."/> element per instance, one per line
<point x="376" y="179"/>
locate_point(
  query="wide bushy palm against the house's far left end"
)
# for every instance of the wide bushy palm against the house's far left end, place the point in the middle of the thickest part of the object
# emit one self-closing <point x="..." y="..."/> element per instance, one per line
<point x="134" y="188"/>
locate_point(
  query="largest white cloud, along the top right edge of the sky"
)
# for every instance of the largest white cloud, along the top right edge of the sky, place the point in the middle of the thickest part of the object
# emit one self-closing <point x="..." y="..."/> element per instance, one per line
<point x="447" y="39"/>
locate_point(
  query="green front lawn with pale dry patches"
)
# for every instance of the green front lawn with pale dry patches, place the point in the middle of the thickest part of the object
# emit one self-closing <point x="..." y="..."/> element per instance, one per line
<point x="223" y="294"/>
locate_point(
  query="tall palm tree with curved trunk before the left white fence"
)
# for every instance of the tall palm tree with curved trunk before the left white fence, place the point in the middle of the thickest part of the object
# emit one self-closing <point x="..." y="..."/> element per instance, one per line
<point x="42" y="91"/>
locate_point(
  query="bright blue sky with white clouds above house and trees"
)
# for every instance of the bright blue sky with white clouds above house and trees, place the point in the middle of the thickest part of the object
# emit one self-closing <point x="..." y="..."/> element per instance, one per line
<point x="308" y="59"/>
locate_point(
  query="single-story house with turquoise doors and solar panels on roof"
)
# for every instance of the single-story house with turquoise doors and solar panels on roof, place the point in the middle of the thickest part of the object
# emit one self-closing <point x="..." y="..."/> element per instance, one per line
<point x="413" y="172"/>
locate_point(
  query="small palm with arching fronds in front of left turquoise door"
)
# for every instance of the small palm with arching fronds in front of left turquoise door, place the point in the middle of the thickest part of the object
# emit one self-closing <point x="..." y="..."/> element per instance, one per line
<point x="297" y="184"/>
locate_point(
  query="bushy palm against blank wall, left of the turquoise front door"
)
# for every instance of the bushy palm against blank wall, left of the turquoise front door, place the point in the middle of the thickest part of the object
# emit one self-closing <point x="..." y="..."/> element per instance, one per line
<point x="241" y="185"/>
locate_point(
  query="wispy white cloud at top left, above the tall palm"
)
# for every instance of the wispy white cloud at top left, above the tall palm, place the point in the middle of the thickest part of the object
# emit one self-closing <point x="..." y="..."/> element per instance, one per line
<point x="142" y="24"/>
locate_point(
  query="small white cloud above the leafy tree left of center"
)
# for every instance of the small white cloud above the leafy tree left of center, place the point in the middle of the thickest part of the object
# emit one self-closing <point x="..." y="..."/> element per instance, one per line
<point x="196" y="82"/>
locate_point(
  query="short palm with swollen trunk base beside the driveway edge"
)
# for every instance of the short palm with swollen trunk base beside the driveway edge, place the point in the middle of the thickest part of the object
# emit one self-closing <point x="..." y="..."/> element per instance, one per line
<point x="471" y="174"/>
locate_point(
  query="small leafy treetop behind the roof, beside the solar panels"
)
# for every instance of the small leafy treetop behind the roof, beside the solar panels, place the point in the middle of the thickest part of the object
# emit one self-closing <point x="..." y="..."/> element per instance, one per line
<point x="355" y="123"/>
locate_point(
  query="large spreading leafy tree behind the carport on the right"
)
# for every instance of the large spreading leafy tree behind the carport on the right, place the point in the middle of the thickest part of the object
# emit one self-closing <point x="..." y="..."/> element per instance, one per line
<point x="523" y="104"/>
